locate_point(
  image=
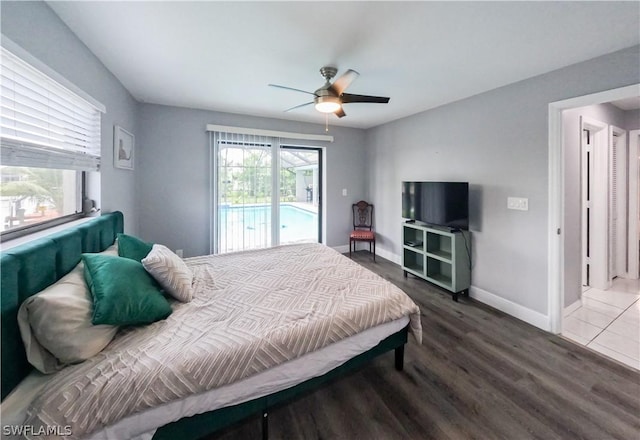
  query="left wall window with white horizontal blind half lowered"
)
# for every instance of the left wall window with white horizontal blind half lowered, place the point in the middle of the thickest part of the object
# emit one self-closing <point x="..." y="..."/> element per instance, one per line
<point x="49" y="137"/>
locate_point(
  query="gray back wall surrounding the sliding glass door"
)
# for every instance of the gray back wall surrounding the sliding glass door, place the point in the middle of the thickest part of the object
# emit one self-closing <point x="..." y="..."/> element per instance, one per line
<point x="172" y="172"/>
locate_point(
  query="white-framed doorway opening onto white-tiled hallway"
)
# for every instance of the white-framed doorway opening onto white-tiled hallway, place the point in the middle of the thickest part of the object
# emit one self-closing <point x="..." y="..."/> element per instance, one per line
<point x="620" y="221"/>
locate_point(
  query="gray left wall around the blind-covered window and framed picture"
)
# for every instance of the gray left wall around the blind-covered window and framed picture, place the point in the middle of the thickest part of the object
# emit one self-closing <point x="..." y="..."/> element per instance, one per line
<point x="38" y="30"/>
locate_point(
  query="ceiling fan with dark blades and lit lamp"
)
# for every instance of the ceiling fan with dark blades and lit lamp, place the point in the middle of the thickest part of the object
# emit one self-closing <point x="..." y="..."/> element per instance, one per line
<point x="330" y="97"/>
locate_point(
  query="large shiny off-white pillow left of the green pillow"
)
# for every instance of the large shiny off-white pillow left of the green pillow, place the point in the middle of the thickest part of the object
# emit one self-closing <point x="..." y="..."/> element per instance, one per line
<point x="55" y="324"/>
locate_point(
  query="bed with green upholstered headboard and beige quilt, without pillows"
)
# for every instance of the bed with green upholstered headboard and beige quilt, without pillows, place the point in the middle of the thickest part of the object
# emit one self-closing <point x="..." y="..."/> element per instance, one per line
<point x="215" y="387"/>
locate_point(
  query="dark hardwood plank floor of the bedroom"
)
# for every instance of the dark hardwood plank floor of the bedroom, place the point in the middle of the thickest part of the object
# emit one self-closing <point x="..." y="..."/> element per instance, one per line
<point x="479" y="374"/>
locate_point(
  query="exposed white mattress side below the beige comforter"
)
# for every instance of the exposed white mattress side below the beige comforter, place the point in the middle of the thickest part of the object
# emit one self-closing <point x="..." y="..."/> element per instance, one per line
<point x="142" y="425"/>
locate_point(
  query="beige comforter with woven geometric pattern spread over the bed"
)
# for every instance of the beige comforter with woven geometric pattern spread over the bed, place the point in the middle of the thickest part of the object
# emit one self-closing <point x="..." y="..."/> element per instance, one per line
<point x="252" y="311"/>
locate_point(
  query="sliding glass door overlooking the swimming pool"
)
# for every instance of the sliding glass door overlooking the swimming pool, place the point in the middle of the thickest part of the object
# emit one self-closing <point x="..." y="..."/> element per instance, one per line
<point x="248" y="171"/>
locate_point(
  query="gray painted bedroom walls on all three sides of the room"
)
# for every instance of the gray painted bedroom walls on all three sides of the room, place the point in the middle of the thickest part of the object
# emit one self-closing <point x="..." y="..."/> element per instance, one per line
<point x="497" y="141"/>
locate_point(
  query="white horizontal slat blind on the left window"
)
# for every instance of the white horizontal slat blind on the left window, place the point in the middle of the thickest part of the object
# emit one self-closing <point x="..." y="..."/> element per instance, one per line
<point x="44" y="124"/>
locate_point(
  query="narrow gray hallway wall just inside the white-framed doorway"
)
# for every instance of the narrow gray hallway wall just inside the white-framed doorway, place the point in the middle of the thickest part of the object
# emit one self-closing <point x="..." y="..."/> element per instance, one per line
<point x="608" y="114"/>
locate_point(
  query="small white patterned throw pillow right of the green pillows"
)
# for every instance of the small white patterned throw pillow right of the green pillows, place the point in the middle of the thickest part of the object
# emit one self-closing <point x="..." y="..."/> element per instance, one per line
<point x="170" y="272"/>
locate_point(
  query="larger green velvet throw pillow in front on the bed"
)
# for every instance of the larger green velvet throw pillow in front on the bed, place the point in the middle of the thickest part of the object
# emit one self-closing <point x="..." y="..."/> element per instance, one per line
<point x="123" y="292"/>
